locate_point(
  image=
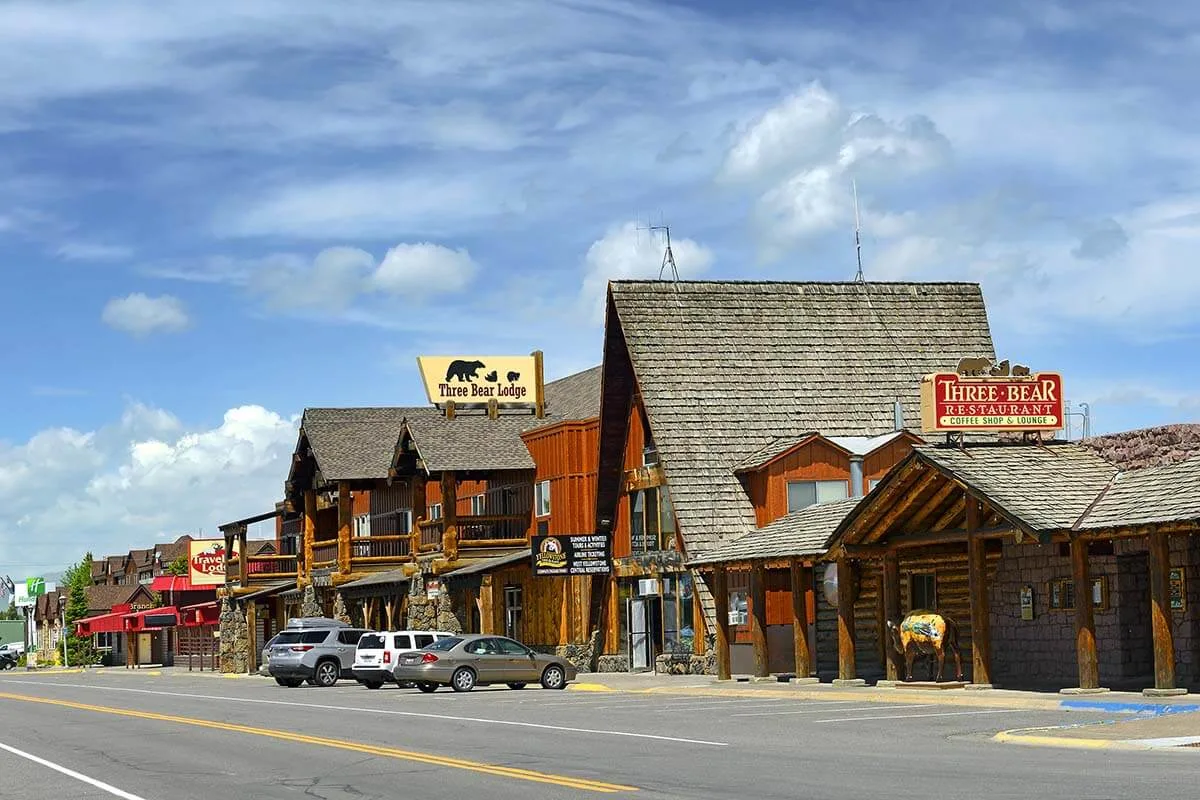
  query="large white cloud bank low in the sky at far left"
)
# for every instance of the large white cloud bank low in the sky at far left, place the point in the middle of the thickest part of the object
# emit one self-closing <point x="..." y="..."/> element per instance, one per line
<point x="143" y="478"/>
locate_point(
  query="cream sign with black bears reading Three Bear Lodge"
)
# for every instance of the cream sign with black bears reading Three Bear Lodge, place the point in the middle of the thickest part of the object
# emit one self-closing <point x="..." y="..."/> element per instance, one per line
<point x="471" y="380"/>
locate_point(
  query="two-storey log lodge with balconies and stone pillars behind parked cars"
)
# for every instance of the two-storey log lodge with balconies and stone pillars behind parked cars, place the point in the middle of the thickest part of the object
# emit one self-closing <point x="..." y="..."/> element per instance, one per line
<point x="413" y="518"/>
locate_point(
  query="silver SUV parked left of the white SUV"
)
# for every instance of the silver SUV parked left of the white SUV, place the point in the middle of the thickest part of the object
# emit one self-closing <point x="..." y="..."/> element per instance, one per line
<point x="314" y="649"/>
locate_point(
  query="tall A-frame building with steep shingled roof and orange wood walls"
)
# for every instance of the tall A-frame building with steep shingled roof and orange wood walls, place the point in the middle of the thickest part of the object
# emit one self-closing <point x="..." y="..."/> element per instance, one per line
<point x="735" y="404"/>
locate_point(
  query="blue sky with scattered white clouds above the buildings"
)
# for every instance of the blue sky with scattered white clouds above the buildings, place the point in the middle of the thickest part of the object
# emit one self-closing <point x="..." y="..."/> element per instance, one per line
<point x="214" y="215"/>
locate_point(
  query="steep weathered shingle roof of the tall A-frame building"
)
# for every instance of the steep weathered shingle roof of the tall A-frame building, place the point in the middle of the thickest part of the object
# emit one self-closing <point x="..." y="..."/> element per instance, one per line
<point x="727" y="369"/>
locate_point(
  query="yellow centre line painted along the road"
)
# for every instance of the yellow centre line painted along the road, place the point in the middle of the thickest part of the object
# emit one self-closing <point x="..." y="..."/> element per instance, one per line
<point x="341" y="744"/>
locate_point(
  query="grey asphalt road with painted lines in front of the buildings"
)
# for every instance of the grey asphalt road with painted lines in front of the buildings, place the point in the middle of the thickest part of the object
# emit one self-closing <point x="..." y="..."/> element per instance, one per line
<point x="211" y="739"/>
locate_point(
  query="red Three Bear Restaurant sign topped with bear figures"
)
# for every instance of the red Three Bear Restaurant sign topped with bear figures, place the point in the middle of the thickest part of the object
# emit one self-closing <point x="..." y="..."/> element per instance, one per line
<point x="982" y="396"/>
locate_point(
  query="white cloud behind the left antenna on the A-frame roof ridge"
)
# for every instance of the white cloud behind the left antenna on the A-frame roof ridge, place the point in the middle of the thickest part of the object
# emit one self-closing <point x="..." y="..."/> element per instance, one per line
<point x="626" y="252"/>
